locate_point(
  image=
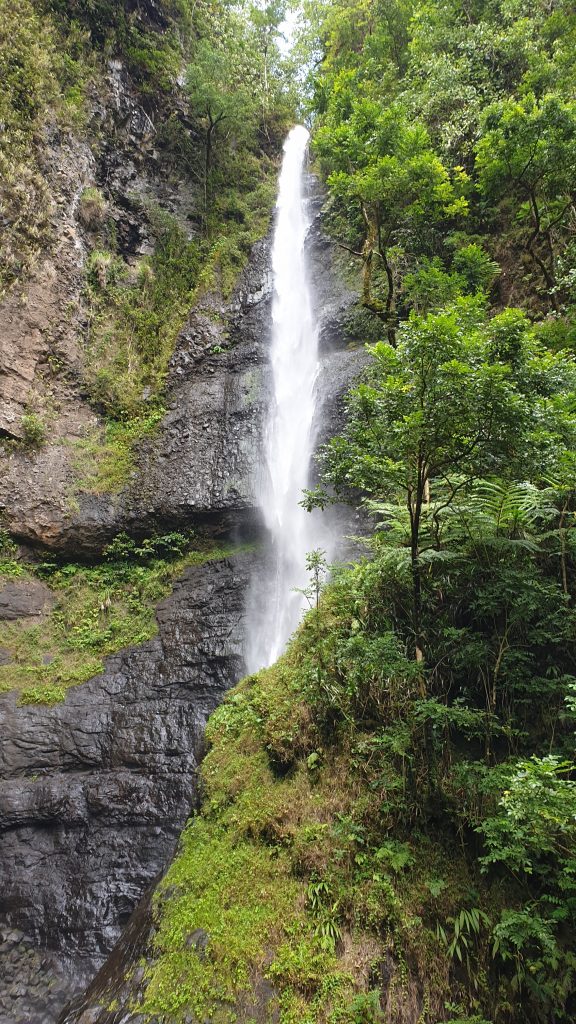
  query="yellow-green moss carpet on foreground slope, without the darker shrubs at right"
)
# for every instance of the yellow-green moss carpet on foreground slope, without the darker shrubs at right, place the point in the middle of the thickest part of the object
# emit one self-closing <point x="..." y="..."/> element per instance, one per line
<point x="239" y="878"/>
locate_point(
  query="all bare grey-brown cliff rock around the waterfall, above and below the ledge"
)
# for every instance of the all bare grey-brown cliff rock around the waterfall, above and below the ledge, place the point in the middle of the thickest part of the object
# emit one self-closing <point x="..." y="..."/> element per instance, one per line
<point x="95" y="792"/>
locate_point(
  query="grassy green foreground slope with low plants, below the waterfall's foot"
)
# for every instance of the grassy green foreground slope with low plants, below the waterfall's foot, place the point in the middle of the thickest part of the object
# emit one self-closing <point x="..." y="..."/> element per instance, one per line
<point x="299" y="870"/>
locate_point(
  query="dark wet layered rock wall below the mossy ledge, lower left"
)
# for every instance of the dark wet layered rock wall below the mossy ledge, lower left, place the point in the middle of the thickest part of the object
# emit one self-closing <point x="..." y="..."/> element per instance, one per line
<point x="95" y="792"/>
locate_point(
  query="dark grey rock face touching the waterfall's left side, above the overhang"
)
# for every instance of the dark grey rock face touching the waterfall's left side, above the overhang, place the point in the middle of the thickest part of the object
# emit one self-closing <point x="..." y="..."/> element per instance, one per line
<point x="202" y="468"/>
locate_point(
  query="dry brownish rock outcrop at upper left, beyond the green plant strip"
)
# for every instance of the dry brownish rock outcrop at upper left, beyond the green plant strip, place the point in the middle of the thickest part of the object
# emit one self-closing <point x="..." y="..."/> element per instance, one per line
<point x="45" y="319"/>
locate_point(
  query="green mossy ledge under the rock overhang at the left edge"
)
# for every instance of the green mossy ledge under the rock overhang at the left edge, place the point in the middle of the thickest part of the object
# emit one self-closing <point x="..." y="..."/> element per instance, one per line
<point x="99" y="611"/>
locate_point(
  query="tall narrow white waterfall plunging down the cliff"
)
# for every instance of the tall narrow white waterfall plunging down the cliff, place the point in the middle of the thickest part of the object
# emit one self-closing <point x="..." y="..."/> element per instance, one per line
<point x="276" y="605"/>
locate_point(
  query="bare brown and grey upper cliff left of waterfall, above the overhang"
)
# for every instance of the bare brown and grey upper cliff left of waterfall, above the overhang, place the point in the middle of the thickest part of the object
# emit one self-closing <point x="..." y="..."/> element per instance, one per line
<point x="46" y="327"/>
